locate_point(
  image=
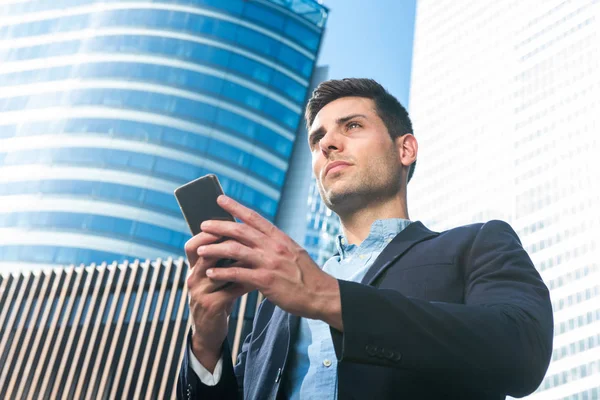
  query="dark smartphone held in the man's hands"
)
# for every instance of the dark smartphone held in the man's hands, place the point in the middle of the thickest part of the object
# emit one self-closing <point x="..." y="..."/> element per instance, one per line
<point x="198" y="202"/>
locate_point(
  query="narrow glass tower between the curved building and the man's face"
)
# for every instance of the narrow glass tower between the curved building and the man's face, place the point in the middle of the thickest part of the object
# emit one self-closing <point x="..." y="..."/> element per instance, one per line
<point x="302" y="214"/>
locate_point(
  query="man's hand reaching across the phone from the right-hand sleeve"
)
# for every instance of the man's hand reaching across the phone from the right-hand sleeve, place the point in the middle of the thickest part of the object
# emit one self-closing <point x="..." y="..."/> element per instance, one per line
<point x="272" y="262"/>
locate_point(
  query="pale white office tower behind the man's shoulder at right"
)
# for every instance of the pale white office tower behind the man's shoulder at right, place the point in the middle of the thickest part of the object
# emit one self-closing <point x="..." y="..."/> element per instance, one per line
<point x="505" y="105"/>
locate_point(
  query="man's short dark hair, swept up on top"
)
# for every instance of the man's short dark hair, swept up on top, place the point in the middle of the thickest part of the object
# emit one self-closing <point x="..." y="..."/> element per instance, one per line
<point x="388" y="108"/>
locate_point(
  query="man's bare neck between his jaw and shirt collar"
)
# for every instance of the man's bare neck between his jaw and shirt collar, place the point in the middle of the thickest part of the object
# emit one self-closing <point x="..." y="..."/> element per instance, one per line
<point x="356" y="225"/>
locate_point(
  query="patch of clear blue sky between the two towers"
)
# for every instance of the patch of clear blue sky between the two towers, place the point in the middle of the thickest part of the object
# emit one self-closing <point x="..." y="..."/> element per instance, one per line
<point x="370" y="39"/>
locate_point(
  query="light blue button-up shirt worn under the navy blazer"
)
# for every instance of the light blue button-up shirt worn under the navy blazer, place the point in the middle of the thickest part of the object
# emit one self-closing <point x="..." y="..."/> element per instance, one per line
<point x="312" y="372"/>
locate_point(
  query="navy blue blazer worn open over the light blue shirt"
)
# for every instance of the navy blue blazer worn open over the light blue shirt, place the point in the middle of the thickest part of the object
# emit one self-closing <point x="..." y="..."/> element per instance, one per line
<point x="461" y="314"/>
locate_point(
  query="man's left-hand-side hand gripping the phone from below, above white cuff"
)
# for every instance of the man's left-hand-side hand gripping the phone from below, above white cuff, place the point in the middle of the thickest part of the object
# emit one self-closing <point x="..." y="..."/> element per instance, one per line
<point x="209" y="307"/>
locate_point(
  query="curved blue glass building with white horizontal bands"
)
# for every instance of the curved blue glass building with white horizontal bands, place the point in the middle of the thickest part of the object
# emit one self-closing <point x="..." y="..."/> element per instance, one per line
<point x="107" y="106"/>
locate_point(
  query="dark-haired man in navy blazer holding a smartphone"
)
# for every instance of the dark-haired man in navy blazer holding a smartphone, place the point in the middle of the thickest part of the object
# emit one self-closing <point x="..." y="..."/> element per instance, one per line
<point x="400" y="312"/>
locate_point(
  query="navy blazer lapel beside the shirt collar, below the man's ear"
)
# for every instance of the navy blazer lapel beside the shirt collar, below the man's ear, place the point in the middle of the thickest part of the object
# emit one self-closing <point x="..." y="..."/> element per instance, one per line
<point x="414" y="233"/>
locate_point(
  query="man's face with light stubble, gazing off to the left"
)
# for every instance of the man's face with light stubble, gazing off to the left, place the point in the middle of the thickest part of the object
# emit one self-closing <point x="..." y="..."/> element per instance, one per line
<point x="348" y="130"/>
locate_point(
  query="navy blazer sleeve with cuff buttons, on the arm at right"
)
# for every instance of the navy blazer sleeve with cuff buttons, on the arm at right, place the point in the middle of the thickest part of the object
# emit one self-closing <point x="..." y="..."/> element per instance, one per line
<point x="500" y="339"/>
